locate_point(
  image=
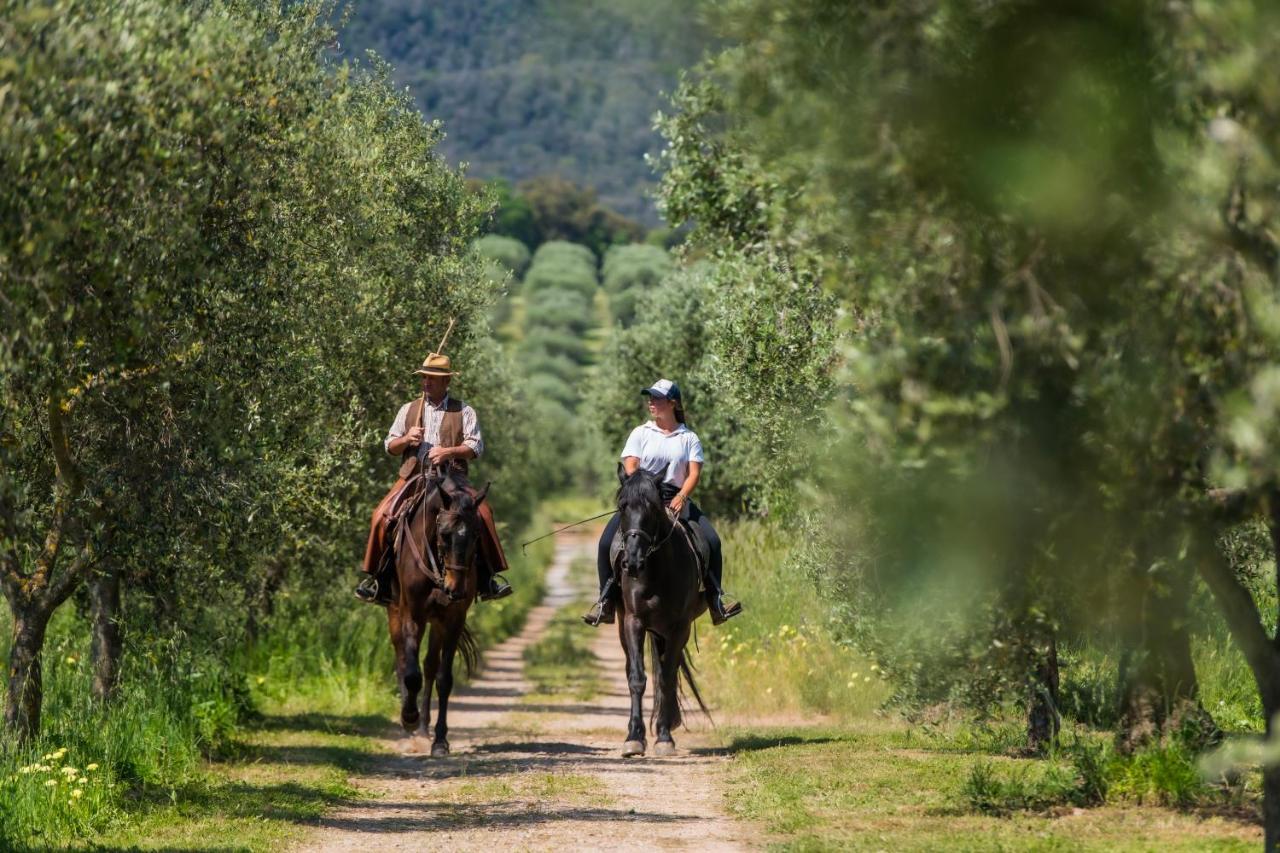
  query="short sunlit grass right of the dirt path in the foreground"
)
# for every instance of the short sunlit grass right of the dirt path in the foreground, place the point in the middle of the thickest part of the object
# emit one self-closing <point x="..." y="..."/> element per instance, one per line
<point x="879" y="786"/>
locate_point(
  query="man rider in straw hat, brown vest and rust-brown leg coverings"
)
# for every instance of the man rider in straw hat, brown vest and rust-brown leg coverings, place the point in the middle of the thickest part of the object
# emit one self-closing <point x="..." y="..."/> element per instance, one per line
<point x="438" y="431"/>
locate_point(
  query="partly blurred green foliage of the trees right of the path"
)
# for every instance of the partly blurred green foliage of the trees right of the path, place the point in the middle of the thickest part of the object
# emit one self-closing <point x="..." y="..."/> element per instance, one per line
<point x="1058" y="289"/>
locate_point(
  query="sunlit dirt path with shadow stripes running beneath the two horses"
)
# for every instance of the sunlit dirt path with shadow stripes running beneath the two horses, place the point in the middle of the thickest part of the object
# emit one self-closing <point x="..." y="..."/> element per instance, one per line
<point x="540" y="776"/>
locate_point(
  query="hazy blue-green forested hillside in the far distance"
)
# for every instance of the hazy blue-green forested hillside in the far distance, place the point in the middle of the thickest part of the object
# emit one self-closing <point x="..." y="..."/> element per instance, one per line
<point x="529" y="88"/>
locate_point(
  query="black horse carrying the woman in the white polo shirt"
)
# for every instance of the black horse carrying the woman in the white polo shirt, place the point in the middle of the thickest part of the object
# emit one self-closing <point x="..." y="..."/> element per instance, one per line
<point x="661" y="597"/>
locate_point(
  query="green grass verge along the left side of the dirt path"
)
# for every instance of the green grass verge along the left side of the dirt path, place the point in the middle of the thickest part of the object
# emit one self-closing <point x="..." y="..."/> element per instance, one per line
<point x="184" y="761"/>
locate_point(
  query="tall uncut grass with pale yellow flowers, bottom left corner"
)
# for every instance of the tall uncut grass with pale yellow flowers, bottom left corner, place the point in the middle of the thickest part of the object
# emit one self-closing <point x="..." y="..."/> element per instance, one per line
<point x="173" y="710"/>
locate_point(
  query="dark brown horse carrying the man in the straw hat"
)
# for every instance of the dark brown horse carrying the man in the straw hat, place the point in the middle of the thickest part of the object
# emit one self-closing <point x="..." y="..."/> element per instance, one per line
<point x="436" y="568"/>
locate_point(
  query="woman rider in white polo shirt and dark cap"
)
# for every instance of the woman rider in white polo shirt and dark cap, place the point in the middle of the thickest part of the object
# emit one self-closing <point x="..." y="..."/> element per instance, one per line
<point x="665" y="446"/>
